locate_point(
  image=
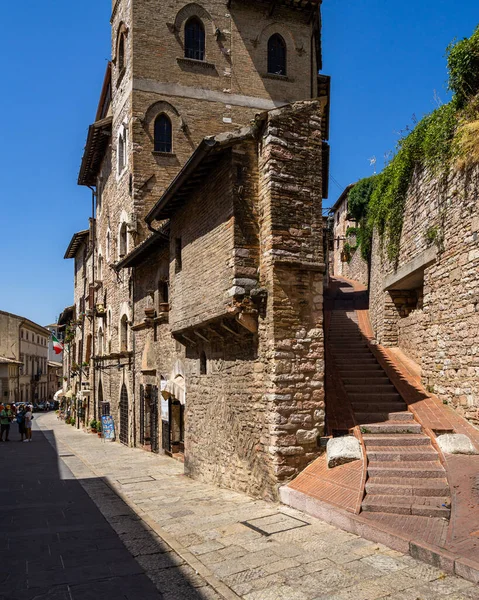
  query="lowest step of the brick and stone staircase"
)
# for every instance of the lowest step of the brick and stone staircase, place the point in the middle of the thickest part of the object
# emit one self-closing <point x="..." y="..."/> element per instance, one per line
<point x="396" y="505"/>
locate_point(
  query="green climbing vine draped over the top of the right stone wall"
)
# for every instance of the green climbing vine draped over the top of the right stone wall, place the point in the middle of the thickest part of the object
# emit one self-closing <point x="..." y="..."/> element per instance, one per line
<point x="442" y="137"/>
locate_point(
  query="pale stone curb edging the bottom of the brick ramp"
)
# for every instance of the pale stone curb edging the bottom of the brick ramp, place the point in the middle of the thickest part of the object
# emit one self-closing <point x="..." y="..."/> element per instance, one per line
<point x="433" y="555"/>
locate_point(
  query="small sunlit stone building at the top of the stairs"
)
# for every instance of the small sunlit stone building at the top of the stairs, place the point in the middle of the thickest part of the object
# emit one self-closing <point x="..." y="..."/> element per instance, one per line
<point x="346" y="256"/>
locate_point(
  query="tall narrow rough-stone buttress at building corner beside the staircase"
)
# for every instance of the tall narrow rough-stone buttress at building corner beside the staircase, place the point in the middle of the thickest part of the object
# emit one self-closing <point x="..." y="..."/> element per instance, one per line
<point x="291" y="268"/>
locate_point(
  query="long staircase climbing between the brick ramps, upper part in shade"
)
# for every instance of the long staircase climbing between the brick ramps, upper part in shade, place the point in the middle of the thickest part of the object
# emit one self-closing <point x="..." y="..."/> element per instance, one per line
<point x="405" y="476"/>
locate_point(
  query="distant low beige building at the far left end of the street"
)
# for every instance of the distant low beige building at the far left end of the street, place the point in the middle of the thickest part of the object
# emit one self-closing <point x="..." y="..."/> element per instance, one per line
<point x="26" y="344"/>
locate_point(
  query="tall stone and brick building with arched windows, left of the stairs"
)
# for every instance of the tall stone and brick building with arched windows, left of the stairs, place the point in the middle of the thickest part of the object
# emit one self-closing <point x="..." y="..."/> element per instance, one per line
<point x="201" y="342"/>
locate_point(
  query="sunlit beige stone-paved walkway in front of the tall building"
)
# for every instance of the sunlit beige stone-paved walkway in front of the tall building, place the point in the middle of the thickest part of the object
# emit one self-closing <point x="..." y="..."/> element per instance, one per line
<point x="282" y="555"/>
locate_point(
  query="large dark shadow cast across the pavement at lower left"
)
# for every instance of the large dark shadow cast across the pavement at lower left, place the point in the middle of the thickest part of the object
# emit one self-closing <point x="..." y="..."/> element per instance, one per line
<point x="56" y="543"/>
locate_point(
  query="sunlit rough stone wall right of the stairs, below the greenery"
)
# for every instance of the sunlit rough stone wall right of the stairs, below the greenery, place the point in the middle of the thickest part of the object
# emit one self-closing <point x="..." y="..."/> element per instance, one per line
<point x="440" y="331"/>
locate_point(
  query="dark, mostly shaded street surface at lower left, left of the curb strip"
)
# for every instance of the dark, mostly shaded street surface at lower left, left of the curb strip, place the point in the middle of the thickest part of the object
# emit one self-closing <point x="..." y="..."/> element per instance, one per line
<point x="54" y="542"/>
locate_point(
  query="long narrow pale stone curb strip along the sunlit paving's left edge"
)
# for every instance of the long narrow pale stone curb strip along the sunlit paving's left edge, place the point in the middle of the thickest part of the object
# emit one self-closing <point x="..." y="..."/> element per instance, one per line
<point x="221" y="588"/>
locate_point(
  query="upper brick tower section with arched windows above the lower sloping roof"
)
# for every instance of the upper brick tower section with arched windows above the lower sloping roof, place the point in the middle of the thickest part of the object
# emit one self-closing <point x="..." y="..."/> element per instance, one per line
<point x="182" y="71"/>
